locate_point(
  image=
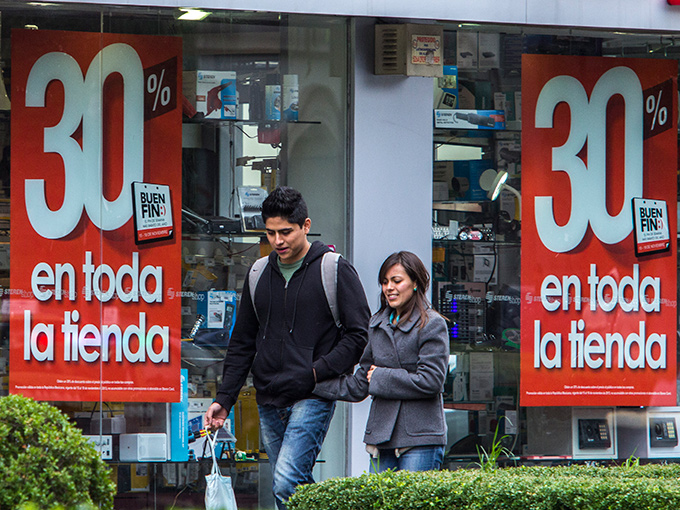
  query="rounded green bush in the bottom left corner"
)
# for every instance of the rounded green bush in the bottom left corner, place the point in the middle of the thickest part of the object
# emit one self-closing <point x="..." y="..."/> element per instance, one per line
<point x="45" y="462"/>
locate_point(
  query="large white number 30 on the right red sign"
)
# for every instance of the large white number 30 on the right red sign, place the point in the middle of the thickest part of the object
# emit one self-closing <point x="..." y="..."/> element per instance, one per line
<point x="588" y="184"/>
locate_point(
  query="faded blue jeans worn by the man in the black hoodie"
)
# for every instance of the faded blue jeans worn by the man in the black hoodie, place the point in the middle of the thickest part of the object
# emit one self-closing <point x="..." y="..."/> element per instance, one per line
<point x="292" y="437"/>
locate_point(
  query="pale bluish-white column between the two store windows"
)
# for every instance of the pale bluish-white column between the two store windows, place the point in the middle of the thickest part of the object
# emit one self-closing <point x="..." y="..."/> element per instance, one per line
<point x="391" y="204"/>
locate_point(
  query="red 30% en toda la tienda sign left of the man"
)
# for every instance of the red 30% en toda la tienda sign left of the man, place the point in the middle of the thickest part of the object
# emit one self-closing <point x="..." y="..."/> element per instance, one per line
<point x="92" y="314"/>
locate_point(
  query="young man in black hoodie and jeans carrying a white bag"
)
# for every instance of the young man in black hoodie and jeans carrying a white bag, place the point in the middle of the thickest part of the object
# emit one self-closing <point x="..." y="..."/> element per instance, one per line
<point x="290" y="341"/>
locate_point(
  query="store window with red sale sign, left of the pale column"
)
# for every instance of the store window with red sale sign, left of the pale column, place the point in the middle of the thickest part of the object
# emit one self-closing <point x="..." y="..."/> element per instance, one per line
<point x="196" y="122"/>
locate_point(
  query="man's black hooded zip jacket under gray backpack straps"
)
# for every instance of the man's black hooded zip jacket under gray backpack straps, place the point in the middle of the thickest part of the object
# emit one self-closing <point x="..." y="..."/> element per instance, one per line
<point x="296" y="334"/>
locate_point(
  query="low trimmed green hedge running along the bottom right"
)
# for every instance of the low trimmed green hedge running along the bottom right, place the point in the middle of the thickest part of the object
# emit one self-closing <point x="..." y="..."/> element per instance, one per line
<point x="630" y="487"/>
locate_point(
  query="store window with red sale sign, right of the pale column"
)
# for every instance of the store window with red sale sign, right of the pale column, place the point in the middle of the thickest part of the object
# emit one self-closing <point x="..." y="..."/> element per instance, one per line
<point x="488" y="256"/>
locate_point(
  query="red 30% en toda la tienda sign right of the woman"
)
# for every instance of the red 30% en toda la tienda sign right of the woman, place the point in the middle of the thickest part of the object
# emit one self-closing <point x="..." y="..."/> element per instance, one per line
<point x="599" y="157"/>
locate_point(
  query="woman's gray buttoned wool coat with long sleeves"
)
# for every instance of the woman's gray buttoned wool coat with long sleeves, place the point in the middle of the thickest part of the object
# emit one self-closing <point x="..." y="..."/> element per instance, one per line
<point x="406" y="387"/>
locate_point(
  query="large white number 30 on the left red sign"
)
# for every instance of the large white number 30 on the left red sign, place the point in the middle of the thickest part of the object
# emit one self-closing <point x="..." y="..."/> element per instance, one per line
<point x="83" y="166"/>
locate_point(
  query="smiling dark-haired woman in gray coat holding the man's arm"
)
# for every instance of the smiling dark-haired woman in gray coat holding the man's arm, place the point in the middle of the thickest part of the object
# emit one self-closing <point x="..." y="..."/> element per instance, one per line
<point x="403" y="369"/>
